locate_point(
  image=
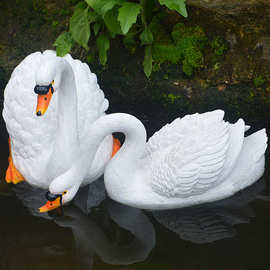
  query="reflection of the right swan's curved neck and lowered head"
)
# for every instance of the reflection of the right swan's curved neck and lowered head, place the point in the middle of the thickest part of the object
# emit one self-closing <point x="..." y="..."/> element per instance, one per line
<point x="91" y="239"/>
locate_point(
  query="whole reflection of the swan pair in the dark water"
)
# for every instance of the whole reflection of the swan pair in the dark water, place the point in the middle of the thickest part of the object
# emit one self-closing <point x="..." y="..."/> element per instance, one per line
<point x="122" y="235"/>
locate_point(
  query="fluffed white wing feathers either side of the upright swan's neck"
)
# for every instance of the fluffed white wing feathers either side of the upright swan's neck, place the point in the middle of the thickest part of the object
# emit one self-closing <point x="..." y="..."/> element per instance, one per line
<point x="32" y="137"/>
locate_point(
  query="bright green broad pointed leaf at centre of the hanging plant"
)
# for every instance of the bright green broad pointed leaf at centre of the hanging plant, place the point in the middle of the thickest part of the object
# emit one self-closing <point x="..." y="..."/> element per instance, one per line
<point x="128" y="15"/>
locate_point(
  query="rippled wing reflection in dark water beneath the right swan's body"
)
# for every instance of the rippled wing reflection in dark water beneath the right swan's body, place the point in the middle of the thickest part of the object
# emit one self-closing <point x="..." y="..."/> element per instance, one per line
<point x="211" y="222"/>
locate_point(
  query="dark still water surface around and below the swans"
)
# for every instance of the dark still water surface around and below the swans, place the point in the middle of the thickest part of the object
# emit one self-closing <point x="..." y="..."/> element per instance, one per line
<point x="230" y="234"/>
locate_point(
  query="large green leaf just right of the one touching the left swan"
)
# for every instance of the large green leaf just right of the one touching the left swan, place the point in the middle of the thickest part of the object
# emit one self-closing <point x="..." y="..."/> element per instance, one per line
<point x="79" y="27"/>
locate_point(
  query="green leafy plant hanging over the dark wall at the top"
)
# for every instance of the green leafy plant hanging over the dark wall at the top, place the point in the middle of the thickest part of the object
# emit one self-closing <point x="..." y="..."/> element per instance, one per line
<point x="131" y="19"/>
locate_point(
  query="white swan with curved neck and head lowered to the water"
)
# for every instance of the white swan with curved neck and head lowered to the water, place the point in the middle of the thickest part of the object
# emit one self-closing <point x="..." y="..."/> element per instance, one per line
<point x="197" y="159"/>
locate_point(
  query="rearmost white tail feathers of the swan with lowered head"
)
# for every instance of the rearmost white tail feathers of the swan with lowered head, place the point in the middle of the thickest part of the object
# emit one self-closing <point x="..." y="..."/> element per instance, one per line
<point x="251" y="163"/>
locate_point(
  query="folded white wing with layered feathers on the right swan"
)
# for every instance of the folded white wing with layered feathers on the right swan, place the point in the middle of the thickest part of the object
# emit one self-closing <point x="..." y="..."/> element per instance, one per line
<point x="192" y="162"/>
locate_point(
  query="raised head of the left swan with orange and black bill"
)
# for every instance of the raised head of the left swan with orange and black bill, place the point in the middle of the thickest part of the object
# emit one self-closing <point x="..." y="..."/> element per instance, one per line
<point x="48" y="79"/>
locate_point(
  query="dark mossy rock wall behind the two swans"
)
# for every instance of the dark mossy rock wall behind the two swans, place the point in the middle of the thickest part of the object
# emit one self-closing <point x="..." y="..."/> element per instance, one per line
<point x="234" y="78"/>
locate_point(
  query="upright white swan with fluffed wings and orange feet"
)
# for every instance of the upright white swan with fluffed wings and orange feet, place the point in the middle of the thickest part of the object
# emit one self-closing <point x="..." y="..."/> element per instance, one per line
<point x="44" y="148"/>
